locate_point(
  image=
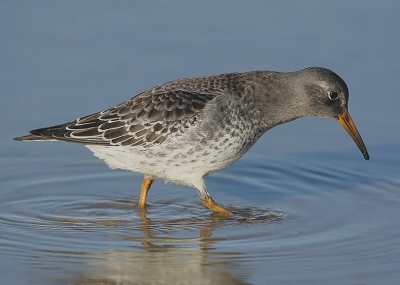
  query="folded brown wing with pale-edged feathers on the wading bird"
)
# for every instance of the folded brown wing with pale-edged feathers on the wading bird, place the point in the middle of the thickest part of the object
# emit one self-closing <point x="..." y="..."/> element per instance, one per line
<point x="144" y="120"/>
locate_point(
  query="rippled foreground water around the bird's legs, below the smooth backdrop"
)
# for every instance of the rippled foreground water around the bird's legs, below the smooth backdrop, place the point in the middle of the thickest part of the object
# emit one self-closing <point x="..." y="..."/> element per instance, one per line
<point x="306" y="218"/>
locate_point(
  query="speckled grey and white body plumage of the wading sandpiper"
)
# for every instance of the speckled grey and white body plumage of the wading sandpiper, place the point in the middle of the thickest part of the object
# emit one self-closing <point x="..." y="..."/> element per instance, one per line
<point x="185" y="129"/>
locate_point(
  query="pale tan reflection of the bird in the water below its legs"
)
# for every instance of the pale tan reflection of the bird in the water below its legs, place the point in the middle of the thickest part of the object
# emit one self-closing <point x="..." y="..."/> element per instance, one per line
<point x="173" y="260"/>
